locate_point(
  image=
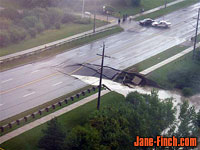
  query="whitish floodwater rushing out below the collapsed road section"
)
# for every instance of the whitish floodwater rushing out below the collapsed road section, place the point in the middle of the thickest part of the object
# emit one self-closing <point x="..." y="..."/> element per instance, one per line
<point x="163" y="94"/>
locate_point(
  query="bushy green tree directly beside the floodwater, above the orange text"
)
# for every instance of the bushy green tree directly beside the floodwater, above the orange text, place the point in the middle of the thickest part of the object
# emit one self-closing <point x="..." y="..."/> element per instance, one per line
<point x="151" y="115"/>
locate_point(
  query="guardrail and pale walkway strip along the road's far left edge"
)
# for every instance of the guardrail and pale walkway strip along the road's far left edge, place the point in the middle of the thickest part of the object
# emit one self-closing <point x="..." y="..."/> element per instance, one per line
<point x="45" y="47"/>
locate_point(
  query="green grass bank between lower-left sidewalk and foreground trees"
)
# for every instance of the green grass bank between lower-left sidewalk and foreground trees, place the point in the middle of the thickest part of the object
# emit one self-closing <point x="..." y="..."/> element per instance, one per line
<point x="78" y="116"/>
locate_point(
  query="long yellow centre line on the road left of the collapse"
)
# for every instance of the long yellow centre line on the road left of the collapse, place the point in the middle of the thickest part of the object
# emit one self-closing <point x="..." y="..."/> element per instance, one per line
<point x="29" y="83"/>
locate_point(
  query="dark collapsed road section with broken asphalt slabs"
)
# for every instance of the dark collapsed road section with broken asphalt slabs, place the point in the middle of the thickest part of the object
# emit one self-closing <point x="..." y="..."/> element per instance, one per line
<point x="124" y="77"/>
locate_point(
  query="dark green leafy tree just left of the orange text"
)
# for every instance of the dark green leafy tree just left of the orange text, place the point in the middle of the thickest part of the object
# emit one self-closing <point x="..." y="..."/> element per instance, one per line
<point x="113" y="126"/>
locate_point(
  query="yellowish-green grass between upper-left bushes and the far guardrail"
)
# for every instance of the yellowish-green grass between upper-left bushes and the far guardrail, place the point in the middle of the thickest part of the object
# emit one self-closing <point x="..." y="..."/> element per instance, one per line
<point x="48" y="36"/>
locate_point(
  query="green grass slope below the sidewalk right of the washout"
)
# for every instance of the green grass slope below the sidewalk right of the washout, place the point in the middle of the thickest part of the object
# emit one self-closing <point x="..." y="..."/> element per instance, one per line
<point x="184" y="63"/>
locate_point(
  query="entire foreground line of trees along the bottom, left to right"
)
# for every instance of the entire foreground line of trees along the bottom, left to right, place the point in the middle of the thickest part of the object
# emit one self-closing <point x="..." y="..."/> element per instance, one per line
<point x="115" y="127"/>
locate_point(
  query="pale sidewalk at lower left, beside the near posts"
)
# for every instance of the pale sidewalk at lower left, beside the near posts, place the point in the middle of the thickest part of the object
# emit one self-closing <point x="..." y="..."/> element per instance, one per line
<point x="44" y="119"/>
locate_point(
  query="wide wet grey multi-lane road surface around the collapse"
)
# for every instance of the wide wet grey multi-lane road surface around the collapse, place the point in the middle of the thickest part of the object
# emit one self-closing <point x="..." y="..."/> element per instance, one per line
<point x="31" y="85"/>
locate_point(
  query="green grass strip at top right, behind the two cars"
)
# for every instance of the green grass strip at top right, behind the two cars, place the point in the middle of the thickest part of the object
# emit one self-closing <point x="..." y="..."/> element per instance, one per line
<point x="169" y="9"/>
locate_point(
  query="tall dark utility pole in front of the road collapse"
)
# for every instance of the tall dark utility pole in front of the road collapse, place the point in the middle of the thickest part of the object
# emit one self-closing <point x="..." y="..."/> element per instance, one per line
<point x="100" y="81"/>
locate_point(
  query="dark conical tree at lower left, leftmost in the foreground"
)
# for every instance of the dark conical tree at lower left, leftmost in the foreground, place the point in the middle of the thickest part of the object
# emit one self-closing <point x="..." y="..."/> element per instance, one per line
<point x="53" y="138"/>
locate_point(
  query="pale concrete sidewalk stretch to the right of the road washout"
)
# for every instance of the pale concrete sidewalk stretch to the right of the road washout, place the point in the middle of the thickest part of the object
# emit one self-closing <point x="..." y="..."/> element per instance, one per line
<point x="149" y="70"/>
